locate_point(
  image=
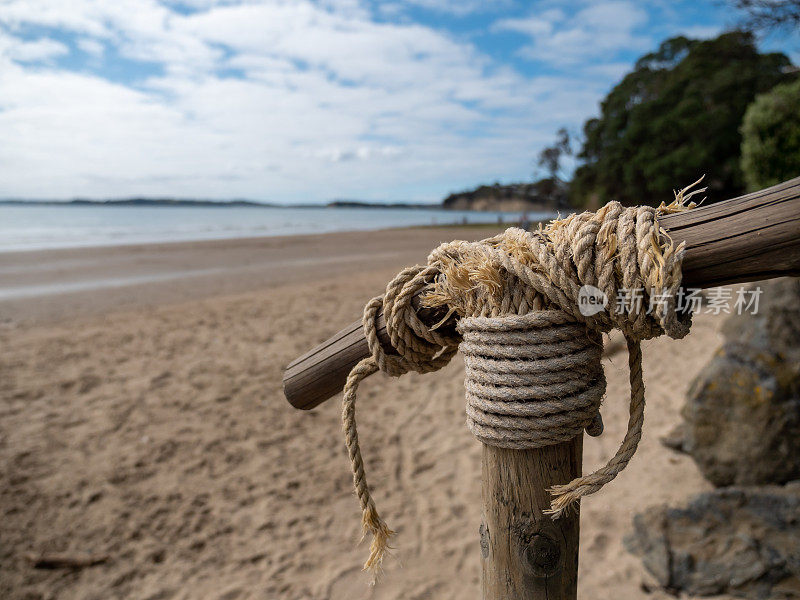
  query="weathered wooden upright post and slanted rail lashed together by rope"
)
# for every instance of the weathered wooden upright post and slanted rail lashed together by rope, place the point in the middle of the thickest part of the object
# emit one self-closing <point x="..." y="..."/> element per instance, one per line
<point x="524" y="553"/>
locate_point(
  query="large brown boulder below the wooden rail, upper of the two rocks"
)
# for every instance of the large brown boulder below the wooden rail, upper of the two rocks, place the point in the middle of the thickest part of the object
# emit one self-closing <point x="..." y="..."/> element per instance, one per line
<point x="742" y="415"/>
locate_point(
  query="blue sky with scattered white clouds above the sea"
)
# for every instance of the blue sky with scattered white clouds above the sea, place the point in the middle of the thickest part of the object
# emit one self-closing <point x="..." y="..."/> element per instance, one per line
<point x="305" y="101"/>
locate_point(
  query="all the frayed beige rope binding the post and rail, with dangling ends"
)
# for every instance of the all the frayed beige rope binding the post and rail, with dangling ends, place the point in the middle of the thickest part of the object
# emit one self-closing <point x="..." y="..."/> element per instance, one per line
<point x="532" y="356"/>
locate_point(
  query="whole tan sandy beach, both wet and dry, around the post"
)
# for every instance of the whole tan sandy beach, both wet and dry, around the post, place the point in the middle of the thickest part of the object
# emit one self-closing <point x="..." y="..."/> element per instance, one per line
<point x="142" y="418"/>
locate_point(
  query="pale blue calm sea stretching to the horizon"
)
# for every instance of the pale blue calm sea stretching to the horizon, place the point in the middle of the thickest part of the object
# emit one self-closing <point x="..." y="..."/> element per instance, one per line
<point x="32" y="227"/>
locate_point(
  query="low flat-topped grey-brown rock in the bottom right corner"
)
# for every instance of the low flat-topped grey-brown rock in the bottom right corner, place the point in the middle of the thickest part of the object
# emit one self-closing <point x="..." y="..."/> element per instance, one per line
<point x="739" y="541"/>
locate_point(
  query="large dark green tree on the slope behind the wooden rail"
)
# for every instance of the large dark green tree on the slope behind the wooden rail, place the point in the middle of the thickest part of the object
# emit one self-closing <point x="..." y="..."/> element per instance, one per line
<point x="674" y="118"/>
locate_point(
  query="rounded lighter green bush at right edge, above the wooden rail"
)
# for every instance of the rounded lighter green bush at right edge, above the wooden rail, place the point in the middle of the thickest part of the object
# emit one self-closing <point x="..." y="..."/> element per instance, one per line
<point x="771" y="137"/>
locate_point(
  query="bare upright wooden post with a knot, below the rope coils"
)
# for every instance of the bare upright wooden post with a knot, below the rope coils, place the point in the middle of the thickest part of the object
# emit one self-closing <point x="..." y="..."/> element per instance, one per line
<point x="524" y="553"/>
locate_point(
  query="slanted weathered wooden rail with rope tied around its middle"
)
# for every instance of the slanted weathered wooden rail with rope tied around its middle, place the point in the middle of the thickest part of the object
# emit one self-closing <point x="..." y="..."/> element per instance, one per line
<point x="750" y="238"/>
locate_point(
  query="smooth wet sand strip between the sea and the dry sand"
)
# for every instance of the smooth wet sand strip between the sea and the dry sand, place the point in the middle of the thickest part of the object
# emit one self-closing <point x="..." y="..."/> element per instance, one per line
<point x="53" y="284"/>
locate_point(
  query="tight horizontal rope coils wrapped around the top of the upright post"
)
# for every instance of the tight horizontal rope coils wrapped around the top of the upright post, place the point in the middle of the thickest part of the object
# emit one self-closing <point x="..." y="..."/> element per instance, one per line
<point x="532" y="380"/>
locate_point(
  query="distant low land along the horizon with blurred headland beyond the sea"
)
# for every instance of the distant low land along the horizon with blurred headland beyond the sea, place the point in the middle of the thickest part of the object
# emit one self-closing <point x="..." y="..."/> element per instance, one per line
<point x="546" y="195"/>
